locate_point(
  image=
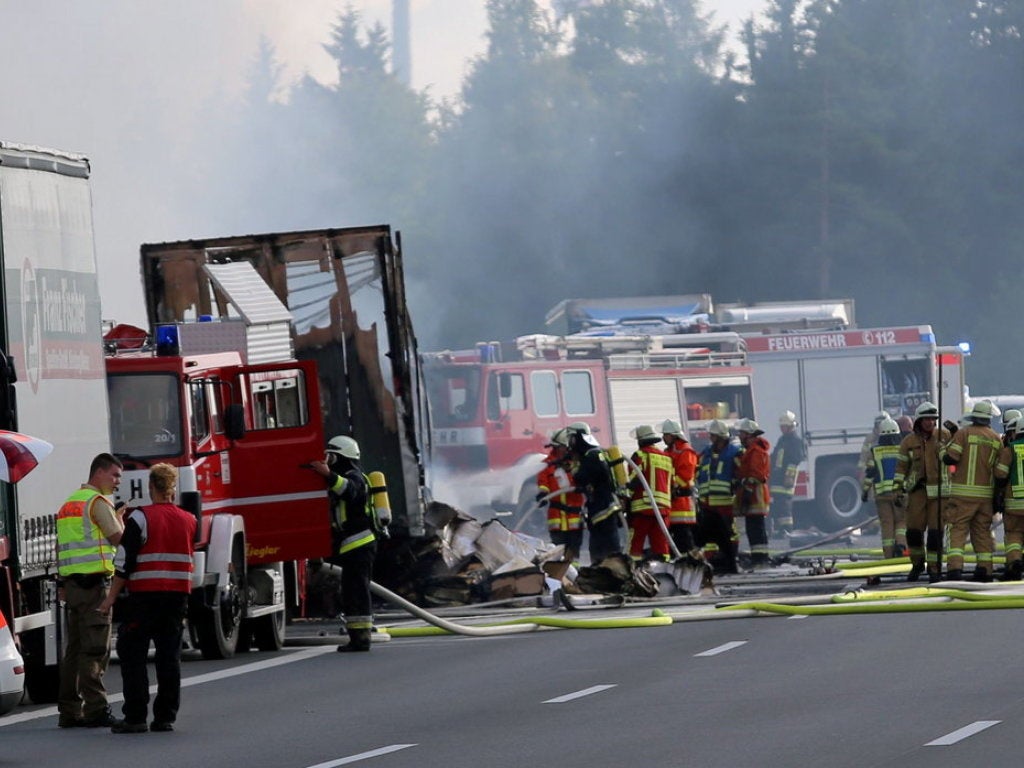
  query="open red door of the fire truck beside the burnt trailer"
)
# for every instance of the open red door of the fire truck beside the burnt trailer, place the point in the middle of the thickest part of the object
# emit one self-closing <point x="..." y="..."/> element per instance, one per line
<point x="284" y="504"/>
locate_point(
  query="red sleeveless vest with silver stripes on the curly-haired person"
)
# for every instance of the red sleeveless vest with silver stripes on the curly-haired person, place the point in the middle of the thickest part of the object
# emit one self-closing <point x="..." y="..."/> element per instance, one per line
<point x="164" y="563"/>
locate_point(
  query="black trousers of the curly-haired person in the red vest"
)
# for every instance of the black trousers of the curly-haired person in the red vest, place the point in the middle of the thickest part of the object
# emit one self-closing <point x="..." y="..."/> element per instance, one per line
<point x="157" y="618"/>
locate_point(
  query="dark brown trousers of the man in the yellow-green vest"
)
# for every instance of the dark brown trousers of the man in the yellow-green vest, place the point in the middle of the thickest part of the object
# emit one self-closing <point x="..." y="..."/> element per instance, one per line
<point x="89" y="653"/>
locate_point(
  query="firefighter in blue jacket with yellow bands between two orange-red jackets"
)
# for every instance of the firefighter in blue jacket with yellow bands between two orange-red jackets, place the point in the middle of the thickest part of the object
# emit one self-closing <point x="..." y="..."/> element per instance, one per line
<point x="716" y="474"/>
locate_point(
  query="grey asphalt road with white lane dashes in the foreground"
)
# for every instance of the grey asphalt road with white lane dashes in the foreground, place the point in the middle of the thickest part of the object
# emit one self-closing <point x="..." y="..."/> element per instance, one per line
<point x="923" y="690"/>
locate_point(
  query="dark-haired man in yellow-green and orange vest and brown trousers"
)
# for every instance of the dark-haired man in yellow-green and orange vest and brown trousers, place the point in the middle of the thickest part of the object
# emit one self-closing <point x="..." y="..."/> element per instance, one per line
<point x="89" y="531"/>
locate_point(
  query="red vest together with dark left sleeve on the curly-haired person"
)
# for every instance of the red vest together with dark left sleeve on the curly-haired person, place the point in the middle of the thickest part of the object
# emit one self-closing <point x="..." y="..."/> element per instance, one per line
<point x="156" y="550"/>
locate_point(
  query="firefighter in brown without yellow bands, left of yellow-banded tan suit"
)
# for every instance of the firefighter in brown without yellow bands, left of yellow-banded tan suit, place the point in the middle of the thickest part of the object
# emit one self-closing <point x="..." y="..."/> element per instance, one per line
<point x="920" y="477"/>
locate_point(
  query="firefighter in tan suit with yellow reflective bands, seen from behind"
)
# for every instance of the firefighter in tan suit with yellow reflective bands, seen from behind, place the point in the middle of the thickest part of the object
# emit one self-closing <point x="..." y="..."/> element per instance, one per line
<point x="974" y="454"/>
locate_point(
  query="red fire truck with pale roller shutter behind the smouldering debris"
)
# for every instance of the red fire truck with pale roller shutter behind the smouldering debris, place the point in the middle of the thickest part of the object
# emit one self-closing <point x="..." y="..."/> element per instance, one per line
<point x="495" y="408"/>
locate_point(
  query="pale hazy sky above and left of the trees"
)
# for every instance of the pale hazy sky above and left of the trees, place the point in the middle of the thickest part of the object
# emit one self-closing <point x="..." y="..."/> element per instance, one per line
<point x="121" y="81"/>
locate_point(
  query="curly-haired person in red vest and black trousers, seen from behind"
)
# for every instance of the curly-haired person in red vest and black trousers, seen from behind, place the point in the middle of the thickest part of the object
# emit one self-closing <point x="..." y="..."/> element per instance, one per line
<point x="155" y="565"/>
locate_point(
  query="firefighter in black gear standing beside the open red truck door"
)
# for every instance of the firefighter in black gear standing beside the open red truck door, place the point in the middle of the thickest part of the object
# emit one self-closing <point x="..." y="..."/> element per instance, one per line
<point x="356" y="536"/>
